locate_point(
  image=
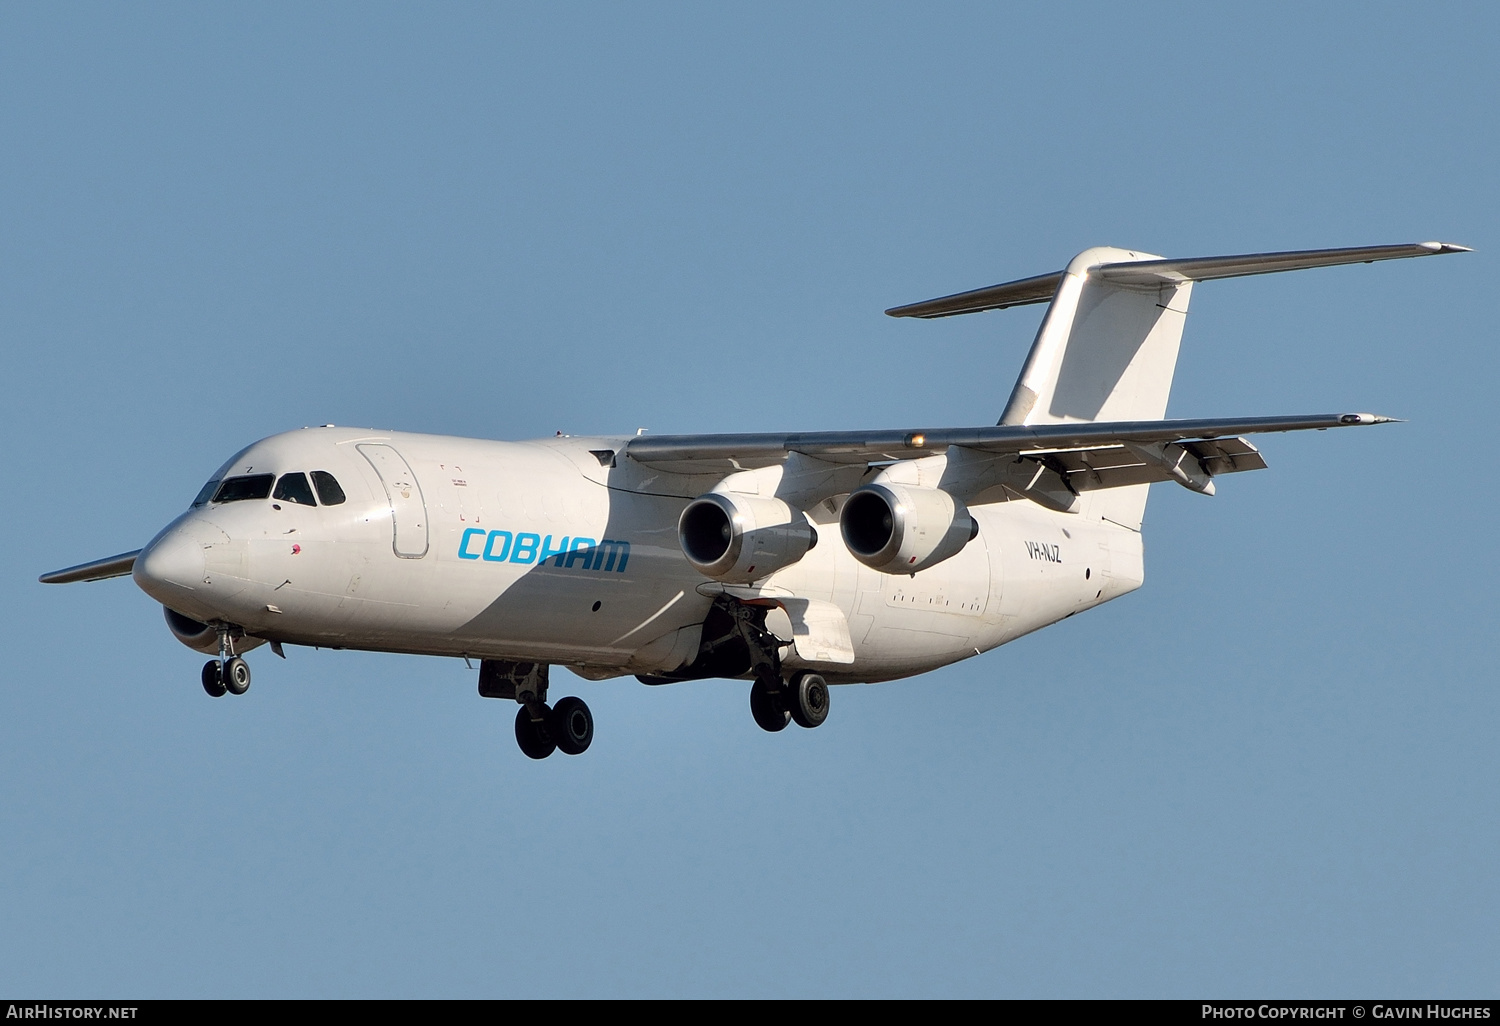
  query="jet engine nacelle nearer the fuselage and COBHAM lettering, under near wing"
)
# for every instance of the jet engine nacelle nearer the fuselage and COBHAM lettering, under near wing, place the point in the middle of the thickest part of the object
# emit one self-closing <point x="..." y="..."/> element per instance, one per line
<point x="743" y="538"/>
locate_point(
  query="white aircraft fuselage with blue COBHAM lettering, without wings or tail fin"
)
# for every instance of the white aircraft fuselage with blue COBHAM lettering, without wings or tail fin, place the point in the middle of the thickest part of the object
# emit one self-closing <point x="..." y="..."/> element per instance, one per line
<point x="556" y="551"/>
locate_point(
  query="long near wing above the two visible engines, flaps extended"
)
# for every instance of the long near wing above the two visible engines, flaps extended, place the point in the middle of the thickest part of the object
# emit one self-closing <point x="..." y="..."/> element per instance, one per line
<point x="730" y="454"/>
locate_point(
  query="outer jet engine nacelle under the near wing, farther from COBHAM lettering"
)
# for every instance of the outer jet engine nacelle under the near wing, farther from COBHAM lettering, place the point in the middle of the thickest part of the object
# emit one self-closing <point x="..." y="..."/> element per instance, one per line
<point x="899" y="529"/>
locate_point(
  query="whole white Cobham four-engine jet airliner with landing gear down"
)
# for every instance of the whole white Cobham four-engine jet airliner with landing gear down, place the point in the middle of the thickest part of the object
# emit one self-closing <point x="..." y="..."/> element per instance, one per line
<point x="794" y="562"/>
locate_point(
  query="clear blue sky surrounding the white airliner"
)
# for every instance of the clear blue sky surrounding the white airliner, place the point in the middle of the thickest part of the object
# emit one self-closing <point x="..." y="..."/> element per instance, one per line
<point x="1271" y="772"/>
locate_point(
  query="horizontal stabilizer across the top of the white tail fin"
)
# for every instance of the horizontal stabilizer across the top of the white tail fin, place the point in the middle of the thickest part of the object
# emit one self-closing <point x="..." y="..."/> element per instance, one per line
<point x="1162" y="272"/>
